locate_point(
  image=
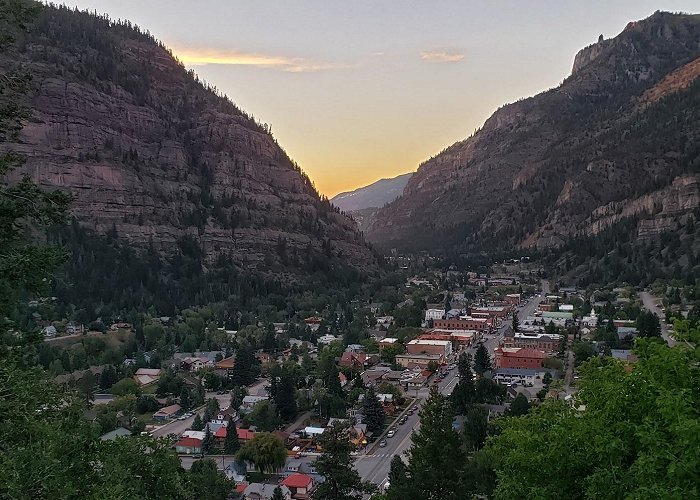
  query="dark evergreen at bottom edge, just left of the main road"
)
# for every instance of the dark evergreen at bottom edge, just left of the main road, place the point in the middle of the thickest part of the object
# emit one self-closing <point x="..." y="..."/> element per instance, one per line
<point x="342" y="482"/>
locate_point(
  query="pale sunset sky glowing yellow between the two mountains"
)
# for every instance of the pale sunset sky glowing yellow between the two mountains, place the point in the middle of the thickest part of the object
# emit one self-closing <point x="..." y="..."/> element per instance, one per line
<point x="359" y="90"/>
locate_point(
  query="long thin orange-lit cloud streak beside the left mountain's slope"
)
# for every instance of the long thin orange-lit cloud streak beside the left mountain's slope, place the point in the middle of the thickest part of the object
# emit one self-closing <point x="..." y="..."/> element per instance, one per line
<point x="201" y="57"/>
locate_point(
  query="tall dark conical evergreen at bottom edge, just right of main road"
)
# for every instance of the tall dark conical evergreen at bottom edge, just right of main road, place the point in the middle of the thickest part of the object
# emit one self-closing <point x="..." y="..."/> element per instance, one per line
<point x="437" y="461"/>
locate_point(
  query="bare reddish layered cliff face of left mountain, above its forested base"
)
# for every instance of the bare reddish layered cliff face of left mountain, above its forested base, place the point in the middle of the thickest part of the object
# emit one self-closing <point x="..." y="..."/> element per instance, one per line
<point x="150" y="152"/>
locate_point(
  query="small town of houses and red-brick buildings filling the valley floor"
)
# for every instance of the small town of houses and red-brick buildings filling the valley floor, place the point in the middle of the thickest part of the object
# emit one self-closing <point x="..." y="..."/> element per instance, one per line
<point x="368" y="369"/>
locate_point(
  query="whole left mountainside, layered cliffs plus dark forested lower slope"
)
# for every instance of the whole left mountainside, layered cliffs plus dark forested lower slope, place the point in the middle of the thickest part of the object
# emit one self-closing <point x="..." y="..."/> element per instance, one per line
<point x="179" y="197"/>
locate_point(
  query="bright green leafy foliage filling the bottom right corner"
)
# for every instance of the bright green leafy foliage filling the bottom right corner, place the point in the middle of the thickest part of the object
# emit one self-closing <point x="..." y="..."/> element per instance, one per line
<point x="636" y="438"/>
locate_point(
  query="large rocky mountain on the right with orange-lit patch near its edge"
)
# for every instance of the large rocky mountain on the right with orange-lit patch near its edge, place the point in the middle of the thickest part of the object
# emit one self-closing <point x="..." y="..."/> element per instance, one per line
<point x="616" y="143"/>
